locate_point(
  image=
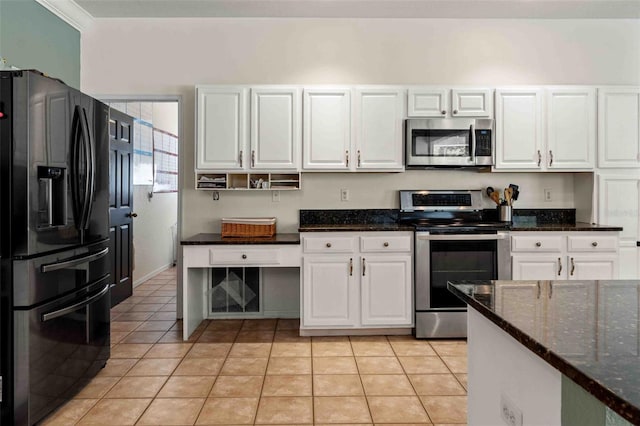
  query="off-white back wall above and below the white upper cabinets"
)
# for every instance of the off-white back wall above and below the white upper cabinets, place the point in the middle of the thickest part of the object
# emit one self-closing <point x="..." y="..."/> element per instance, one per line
<point x="170" y="56"/>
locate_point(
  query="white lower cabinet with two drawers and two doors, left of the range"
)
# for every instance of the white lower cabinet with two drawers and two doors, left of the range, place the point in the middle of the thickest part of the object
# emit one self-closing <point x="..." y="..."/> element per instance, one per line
<point x="357" y="280"/>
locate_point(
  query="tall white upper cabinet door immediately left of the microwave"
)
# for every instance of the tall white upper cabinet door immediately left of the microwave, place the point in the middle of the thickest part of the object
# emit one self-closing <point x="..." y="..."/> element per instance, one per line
<point x="379" y="118"/>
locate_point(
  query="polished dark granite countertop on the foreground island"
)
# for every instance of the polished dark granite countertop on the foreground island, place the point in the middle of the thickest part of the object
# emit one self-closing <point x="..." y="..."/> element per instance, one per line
<point x="609" y="366"/>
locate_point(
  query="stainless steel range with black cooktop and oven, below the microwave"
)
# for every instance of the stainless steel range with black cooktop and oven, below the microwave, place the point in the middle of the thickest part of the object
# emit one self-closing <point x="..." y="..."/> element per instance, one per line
<point x="455" y="240"/>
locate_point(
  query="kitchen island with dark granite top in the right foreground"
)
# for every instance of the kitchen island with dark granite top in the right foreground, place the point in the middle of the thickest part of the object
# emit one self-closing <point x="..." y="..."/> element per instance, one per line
<point x="552" y="352"/>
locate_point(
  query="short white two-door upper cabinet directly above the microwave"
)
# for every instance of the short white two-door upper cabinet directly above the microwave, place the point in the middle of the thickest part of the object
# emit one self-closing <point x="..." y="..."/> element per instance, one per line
<point x="445" y="103"/>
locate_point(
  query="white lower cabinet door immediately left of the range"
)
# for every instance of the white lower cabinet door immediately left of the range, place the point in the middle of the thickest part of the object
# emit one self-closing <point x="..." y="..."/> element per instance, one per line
<point x="385" y="287"/>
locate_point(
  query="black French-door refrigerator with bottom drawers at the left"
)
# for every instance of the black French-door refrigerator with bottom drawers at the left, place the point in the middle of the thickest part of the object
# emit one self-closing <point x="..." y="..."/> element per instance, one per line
<point x="54" y="243"/>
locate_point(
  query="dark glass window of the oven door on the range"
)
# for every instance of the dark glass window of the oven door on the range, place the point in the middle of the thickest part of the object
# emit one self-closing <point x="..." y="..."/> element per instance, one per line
<point x="456" y="261"/>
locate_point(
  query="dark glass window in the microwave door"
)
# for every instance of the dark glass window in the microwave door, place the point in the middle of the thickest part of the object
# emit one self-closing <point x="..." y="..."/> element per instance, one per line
<point x="441" y="143"/>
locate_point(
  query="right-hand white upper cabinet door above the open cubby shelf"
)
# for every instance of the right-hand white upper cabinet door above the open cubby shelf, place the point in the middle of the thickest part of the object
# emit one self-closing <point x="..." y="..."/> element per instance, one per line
<point x="275" y="128"/>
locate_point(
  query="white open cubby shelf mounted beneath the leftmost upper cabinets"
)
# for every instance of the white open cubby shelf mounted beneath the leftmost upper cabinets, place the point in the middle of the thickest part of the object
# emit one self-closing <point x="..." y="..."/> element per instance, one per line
<point x="247" y="181"/>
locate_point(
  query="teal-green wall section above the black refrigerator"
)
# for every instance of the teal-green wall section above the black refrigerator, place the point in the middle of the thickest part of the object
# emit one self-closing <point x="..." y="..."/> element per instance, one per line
<point x="31" y="37"/>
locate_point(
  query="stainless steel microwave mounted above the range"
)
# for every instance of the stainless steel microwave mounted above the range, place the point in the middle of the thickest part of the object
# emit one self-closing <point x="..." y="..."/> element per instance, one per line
<point x="453" y="142"/>
